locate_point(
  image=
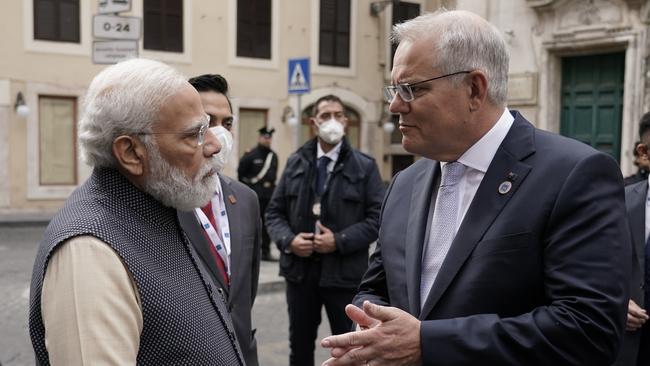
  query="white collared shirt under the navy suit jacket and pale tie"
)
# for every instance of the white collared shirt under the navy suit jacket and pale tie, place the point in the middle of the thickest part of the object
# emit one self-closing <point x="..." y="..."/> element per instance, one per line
<point x="477" y="159"/>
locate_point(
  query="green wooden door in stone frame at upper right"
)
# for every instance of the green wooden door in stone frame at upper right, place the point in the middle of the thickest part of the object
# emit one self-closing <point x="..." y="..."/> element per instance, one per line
<point x="592" y="100"/>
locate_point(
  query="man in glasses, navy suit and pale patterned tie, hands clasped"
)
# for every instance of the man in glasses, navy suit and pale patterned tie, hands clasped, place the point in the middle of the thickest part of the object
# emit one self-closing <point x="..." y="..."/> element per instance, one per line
<point x="505" y="244"/>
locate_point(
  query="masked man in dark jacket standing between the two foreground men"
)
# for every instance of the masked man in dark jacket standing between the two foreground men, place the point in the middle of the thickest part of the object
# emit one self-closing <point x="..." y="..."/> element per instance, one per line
<point x="323" y="216"/>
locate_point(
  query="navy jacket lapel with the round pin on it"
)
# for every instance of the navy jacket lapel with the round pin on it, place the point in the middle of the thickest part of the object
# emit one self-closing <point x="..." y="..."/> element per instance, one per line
<point x="486" y="205"/>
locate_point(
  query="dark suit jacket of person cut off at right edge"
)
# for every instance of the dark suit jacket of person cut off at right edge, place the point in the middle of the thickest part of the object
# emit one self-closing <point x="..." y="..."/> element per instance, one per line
<point x="635" y="196"/>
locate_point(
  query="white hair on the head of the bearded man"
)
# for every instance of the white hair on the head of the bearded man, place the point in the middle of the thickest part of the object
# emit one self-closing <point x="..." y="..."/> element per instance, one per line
<point x="123" y="99"/>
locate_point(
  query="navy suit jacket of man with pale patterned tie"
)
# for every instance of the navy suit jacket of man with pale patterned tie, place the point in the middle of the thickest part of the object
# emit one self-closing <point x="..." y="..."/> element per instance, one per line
<point x="536" y="276"/>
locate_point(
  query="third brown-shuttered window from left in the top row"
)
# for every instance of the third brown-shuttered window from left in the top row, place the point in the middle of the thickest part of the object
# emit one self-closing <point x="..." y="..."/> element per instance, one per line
<point x="254" y="28"/>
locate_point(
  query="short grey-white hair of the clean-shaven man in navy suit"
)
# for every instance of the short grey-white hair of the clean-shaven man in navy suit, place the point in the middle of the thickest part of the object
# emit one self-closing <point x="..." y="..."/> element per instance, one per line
<point x="462" y="41"/>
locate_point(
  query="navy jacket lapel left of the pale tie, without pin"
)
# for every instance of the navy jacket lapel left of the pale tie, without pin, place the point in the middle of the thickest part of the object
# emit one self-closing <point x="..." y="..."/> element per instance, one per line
<point x="418" y="216"/>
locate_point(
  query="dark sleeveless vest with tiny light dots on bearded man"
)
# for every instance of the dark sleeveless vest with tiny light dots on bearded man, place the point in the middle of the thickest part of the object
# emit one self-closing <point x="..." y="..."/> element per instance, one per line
<point x="185" y="320"/>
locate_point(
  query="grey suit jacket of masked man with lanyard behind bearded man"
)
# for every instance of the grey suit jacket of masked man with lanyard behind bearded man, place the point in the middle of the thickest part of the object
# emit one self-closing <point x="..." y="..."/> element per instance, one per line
<point x="244" y="219"/>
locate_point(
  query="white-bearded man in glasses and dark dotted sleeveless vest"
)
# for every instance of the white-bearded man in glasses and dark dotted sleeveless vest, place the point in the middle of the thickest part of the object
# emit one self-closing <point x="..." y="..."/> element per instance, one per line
<point x="116" y="281"/>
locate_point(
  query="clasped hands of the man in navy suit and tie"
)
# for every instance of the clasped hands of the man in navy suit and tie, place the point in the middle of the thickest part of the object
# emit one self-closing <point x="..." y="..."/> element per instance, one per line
<point x="392" y="338"/>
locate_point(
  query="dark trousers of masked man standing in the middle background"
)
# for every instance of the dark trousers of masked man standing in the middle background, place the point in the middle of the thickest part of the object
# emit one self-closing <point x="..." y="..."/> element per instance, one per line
<point x="305" y="301"/>
